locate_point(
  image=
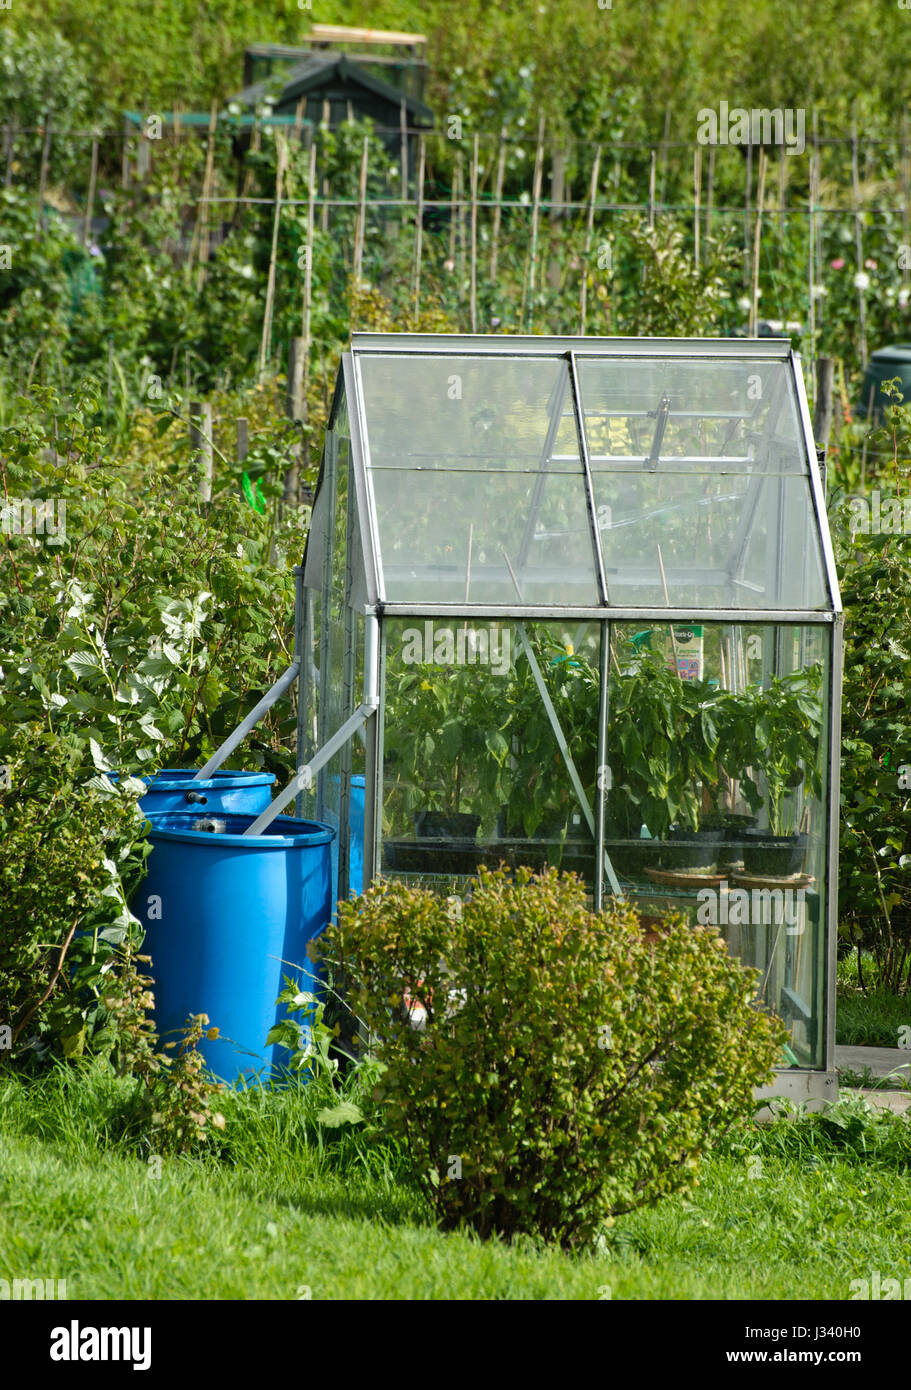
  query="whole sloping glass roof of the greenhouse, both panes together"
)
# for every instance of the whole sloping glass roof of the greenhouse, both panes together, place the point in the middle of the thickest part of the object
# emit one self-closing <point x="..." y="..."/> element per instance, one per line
<point x="586" y="472"/>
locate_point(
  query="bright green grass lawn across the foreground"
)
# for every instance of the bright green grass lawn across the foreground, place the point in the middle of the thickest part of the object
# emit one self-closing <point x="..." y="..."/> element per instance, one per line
<point x="789" y="1213"/>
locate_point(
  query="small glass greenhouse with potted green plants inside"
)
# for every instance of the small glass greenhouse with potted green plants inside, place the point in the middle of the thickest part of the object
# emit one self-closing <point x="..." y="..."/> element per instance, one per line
<point x="574" y="601"/>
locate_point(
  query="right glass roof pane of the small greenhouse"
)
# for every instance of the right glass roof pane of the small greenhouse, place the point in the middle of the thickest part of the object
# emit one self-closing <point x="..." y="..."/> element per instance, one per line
<point x="699" y="472"/>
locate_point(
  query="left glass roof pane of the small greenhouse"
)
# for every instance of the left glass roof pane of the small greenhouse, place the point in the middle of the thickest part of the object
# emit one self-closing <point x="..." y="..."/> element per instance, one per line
<point x="478" y="480"/>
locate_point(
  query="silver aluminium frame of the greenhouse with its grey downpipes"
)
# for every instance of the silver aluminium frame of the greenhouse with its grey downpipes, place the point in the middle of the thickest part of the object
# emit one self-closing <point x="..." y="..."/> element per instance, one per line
<point x="368" y="616"/>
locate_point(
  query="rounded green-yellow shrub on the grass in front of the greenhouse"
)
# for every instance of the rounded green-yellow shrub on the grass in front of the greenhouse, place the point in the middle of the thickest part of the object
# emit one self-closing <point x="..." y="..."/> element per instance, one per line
<point x="568" y="1071"/>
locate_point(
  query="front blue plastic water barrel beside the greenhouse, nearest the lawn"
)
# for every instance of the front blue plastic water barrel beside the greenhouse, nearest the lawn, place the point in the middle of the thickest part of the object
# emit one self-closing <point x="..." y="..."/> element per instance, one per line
<point x="225" y="914"/>
